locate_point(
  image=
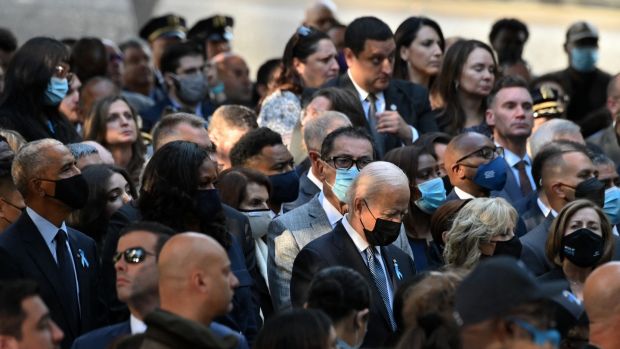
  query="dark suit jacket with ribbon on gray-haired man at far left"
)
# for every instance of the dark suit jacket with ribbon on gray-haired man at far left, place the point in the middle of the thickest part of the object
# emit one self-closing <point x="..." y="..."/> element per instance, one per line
<point x="24" y="254"/>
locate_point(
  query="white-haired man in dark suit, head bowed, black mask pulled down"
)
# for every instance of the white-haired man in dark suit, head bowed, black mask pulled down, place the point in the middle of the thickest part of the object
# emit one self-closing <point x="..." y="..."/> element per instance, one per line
<point x="378" y="199"/>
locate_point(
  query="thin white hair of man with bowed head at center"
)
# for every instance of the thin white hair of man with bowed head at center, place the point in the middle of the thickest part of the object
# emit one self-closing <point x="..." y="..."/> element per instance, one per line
<point x="374" y="179"/>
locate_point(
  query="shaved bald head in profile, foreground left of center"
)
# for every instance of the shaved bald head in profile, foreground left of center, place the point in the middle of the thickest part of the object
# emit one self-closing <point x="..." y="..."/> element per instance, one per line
<point x="195" y="279"/>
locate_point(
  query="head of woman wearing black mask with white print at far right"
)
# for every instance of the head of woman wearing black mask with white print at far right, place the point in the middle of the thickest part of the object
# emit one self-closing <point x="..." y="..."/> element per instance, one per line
<point x="579" y="240"/>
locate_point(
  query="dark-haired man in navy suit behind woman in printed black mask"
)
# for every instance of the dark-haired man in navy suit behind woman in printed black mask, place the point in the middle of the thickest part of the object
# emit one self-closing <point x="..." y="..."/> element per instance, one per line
<point x="563" y="165"/>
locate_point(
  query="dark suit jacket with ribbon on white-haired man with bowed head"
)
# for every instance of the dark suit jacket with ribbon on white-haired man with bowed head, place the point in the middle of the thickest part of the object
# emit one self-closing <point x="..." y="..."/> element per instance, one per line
<point x="337" y="248"/>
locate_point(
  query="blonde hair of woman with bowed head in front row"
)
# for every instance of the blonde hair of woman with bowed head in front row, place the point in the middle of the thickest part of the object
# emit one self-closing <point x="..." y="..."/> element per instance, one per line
<point x="477" y="222"/>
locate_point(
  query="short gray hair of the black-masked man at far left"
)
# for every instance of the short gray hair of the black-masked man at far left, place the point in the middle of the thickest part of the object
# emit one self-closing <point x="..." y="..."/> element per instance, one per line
<point x="30" y="161"/>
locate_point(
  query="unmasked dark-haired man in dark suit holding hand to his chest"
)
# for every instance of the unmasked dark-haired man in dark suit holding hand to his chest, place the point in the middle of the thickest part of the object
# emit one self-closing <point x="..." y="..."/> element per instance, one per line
<point x="396" y="111"/>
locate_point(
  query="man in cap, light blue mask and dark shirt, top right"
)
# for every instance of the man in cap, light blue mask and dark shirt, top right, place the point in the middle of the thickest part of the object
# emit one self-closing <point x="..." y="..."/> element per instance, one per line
<point x="584" y="83"/>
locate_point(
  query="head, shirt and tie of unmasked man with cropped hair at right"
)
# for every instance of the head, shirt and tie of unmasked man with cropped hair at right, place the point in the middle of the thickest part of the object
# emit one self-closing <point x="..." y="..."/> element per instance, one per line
<point x="510" y="114"/>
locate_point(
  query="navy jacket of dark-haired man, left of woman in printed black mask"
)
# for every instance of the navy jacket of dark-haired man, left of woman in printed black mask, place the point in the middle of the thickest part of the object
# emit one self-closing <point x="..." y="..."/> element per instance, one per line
<point x="533" y="251"/>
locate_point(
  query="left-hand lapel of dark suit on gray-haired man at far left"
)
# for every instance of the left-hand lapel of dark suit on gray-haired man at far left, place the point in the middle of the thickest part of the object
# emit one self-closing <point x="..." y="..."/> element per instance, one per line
<point x="42" y="257"/>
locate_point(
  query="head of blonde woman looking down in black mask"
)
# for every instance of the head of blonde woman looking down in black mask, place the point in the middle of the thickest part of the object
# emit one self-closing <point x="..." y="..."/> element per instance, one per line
<point x="483" y="228"/>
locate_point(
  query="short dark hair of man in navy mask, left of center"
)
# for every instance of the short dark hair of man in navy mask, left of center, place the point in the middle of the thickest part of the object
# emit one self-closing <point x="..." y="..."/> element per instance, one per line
<point x="252" y="143"/>
